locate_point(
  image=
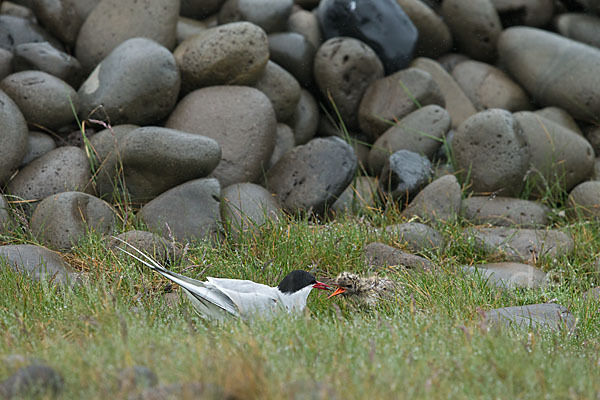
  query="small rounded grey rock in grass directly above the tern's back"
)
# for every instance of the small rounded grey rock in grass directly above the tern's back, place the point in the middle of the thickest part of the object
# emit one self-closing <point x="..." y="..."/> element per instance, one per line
<point x="246" y="207"/>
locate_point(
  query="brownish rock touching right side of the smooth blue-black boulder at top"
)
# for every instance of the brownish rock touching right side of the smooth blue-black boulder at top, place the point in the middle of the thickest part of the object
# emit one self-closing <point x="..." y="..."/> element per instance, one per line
<point x="434" y="38"/>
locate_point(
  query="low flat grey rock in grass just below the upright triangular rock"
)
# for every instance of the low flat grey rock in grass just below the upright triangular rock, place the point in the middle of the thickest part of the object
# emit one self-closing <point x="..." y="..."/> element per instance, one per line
<point x="416" y="237"/>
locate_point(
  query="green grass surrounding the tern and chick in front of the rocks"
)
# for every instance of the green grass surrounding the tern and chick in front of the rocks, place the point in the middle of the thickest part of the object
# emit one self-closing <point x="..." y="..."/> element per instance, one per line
<point x="428" y="342"/>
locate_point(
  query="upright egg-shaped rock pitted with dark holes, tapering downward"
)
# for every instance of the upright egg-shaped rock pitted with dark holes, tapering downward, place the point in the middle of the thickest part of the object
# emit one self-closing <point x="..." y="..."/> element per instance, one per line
<point x="343" y="68"/>
